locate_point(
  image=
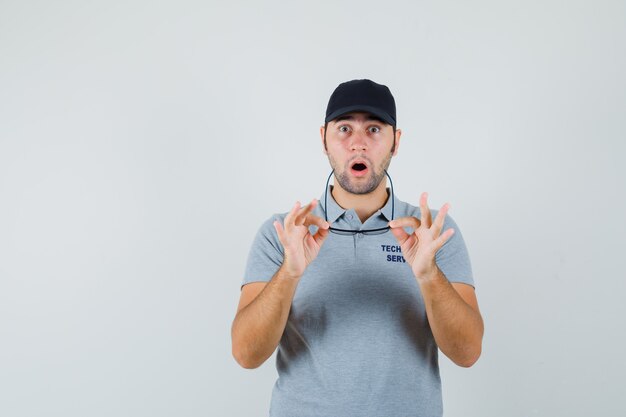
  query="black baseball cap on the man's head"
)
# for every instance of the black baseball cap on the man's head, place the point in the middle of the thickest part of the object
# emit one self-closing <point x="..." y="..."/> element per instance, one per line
<point x="362" y="95"/>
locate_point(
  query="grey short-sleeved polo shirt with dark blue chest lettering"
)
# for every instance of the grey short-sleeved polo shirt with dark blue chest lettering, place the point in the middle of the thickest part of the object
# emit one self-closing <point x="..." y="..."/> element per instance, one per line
<point x="357" y="341"/>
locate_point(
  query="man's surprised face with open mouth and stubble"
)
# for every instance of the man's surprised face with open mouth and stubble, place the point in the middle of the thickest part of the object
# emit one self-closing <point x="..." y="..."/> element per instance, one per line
<point x="359" y="148"/>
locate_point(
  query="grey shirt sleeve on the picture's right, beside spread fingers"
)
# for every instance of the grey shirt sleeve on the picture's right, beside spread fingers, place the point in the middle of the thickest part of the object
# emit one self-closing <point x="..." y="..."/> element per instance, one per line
<point x="453" y="258"/>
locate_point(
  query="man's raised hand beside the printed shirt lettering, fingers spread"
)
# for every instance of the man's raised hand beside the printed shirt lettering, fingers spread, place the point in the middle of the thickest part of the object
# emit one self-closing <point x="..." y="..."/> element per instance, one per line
<point x="420" y="247"/>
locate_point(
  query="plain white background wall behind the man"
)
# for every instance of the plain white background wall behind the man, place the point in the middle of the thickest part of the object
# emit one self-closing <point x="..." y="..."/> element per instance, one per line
<point x="143" y="143"/>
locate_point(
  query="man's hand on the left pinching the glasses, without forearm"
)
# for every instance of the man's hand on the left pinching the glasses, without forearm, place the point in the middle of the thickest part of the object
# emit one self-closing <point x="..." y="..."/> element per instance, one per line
<point x="300" y="246"/>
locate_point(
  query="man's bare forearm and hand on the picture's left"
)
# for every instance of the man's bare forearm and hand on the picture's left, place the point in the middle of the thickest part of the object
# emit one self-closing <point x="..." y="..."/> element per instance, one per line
<point x="264" y="308"/>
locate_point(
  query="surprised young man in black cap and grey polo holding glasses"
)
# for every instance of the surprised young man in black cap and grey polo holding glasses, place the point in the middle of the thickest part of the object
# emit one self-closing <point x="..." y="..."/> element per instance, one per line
<point x="359" y="290"/>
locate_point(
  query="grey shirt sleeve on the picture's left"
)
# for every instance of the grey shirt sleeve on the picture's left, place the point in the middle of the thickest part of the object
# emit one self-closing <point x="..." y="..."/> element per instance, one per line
<point x="266" y="254"/>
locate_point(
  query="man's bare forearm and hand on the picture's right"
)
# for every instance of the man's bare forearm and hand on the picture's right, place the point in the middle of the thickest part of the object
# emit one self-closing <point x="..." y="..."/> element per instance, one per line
<point x="452" y="309"/>
